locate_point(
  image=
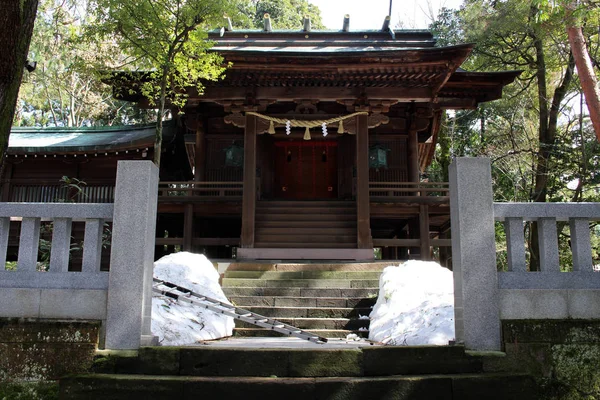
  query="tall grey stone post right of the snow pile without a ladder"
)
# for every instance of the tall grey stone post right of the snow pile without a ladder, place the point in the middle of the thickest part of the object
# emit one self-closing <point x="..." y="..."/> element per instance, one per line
<point x="477" y="317"/>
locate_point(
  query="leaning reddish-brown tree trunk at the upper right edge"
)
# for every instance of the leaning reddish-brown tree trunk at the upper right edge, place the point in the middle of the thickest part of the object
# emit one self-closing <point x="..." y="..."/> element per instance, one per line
<point x="585" y="70"/>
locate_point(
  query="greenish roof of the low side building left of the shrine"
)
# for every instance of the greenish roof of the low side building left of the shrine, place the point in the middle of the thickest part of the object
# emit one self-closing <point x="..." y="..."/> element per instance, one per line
<point x="81" y="140"/>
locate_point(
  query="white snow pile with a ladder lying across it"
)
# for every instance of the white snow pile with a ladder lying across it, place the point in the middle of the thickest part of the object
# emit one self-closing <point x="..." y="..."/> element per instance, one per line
<point x="179" y="323"/>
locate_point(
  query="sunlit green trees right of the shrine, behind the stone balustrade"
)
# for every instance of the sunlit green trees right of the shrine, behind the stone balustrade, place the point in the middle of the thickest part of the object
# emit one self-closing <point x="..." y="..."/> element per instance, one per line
<point x="537" y="137"/>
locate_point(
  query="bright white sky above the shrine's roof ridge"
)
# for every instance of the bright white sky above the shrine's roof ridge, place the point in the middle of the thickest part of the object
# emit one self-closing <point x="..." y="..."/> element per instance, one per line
<point x="369" y="14"/>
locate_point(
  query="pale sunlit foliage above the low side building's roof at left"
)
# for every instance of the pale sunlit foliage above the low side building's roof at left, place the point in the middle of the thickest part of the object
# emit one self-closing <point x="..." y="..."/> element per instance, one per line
<point x="65" y="89"/>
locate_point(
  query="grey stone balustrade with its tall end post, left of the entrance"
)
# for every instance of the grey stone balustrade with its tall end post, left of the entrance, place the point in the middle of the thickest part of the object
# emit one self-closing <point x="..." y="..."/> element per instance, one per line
<point x="120" y="298"/>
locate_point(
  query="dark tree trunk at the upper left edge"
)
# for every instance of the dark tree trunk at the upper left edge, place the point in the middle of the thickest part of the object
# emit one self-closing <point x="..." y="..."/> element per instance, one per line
<point x="16" y="26"/>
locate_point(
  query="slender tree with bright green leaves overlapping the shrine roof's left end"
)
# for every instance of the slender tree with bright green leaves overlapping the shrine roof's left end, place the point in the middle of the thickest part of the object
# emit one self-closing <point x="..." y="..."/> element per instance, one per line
<point x="167" y="39"/>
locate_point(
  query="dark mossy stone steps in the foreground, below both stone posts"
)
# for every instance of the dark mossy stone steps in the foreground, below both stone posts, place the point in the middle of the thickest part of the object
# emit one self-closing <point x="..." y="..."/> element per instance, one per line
<point x="360" y="373"/>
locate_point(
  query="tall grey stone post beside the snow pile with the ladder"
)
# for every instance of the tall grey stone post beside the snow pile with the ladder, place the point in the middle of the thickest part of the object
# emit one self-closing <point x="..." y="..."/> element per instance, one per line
<point x="131" y="261"/>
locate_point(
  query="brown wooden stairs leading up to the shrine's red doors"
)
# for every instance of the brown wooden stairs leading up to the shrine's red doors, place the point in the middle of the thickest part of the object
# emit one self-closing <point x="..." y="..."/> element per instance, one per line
<point x="305" y="224"/>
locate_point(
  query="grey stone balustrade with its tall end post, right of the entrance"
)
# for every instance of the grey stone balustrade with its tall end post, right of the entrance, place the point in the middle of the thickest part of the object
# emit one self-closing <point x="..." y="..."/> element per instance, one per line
<point x="484" y="296"/>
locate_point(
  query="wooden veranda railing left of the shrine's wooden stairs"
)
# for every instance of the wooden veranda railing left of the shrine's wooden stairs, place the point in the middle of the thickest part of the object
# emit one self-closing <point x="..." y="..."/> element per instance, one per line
<point x="200" y="189"/>
